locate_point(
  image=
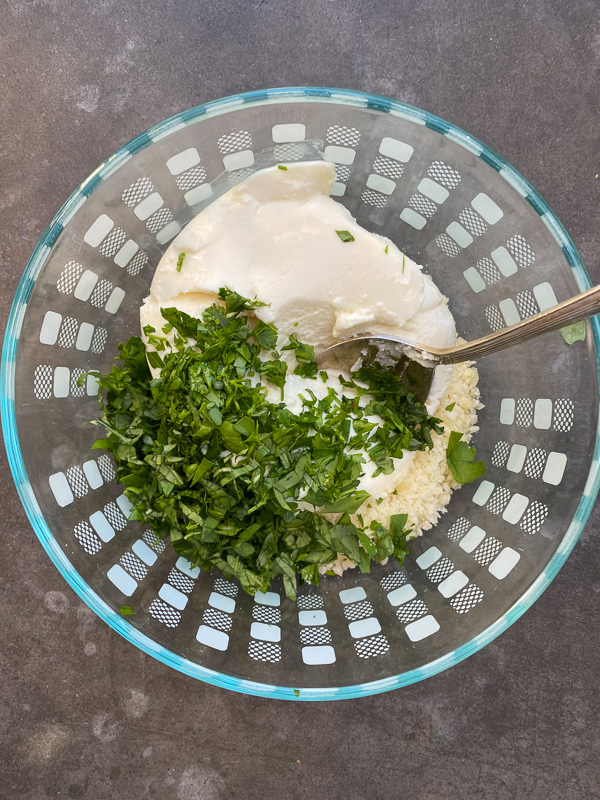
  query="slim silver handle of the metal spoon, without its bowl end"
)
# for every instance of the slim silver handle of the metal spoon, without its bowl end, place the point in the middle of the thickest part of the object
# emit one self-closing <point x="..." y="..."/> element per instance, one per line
<point x="573" y="310"/>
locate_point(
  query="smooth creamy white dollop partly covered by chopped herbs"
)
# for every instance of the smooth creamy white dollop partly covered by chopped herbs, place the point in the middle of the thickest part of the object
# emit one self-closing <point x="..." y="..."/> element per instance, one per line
<point x="273" y="237"/>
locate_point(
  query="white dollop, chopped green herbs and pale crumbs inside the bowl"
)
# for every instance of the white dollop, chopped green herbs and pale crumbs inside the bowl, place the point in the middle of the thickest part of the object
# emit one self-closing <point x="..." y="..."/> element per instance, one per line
<point x="228" y="438"/>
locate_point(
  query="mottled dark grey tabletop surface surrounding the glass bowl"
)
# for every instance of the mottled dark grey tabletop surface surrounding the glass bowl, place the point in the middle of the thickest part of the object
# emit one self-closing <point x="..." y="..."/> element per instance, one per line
<point x="83" y="714"/>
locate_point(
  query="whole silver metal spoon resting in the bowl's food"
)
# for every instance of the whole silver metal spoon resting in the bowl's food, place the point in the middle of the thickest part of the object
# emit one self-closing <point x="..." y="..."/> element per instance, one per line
<point x="415" y="364"/>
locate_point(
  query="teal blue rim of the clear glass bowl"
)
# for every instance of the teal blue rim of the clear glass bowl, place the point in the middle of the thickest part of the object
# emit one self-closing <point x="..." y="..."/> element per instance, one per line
<point x="7" y="390"/>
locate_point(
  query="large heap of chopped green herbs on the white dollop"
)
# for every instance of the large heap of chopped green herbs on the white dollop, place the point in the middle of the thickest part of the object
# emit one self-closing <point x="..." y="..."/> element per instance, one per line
<point x="213" y="465"/>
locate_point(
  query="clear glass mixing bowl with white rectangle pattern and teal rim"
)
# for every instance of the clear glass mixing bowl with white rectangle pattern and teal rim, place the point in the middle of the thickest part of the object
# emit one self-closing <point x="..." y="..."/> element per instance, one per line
<point x="493" y="247"/>
